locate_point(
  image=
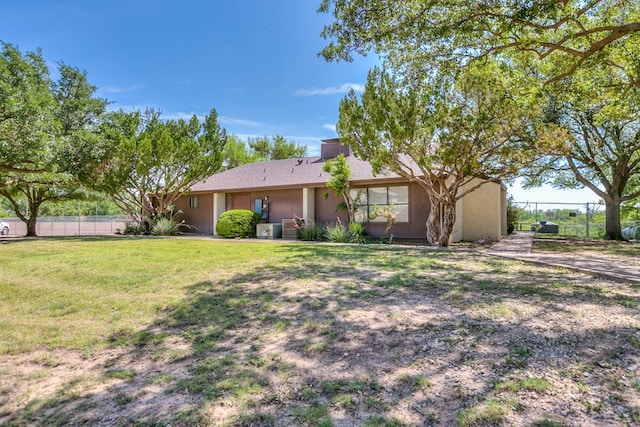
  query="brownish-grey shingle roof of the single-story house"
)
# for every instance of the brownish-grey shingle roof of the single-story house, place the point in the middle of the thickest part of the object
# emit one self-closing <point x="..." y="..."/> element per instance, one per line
<point x="288" y="173"/>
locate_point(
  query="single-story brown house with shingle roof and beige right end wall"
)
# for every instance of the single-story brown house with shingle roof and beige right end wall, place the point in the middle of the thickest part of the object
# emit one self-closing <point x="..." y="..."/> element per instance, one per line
<point x="284" y="189"/>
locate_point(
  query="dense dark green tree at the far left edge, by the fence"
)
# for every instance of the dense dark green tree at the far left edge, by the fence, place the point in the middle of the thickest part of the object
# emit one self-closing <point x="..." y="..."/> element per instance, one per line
<point x="38" y="118"/>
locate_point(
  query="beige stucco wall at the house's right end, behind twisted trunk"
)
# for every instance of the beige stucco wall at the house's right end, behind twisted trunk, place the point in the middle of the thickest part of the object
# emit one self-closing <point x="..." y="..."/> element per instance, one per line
<point x="481" y="214"/>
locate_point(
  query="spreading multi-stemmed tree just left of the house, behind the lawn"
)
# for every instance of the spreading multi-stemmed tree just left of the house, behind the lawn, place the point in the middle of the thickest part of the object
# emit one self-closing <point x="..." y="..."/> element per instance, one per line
<point x="145" y="164"/>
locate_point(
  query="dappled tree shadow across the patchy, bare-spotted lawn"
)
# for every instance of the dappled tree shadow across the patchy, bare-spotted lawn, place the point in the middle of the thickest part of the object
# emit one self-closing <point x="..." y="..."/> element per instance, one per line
<point x="347" y="335"/>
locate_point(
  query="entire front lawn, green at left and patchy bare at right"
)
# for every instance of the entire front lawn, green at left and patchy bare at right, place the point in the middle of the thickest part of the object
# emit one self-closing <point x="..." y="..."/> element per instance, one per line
<point x="145" y="332"/>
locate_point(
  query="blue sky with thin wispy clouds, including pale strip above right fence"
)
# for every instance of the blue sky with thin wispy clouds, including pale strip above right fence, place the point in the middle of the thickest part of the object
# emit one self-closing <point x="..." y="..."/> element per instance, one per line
<point x="254" y="61"/>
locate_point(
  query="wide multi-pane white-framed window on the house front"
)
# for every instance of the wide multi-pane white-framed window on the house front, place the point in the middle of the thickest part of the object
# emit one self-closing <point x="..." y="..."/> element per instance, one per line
<point x="366" y="200"/>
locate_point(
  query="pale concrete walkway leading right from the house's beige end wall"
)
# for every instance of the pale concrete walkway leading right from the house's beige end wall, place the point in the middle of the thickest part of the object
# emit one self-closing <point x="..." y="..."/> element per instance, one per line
<point x="518" y="246"/>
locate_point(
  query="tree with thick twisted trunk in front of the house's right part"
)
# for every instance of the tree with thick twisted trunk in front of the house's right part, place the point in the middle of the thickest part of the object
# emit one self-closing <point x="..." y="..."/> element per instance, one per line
<point x="441" y="134"/>
